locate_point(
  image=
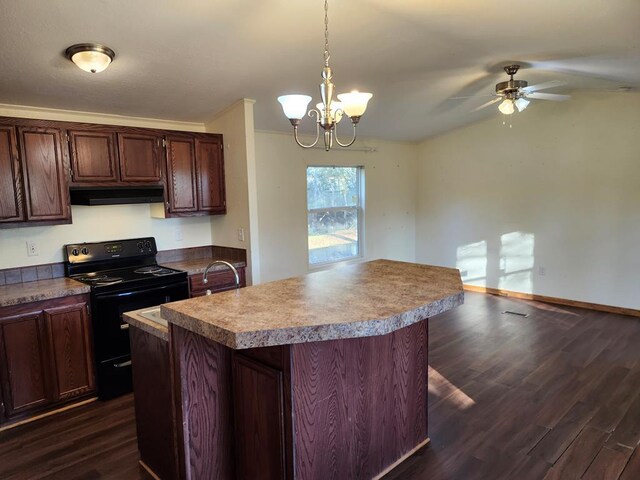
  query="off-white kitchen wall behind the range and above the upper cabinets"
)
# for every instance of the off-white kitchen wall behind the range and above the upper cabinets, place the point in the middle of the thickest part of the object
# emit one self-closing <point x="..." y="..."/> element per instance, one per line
<point x="99" y="223"/>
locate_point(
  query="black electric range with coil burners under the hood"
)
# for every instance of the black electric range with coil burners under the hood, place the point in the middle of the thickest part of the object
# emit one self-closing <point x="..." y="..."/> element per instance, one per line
<point x="123" y="276"/>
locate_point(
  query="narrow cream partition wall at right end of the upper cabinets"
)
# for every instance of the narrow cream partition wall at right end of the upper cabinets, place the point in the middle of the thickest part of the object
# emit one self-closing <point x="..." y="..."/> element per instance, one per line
<point x="236" y="125"/>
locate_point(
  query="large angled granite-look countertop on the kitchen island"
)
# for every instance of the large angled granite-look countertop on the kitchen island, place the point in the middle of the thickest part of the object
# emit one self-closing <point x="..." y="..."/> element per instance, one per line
<point x="361" y="300"/>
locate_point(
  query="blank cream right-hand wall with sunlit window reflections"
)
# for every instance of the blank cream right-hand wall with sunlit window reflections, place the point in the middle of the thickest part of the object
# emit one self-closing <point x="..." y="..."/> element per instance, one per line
<point x="557" y="193"/>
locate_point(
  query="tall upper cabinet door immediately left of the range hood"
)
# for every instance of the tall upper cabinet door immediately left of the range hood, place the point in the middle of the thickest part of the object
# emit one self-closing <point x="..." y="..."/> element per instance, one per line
<point x="43" y="171"/>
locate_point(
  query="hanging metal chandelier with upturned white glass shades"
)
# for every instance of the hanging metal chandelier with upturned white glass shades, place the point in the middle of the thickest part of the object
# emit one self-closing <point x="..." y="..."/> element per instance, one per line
<point x="328" y="113"/>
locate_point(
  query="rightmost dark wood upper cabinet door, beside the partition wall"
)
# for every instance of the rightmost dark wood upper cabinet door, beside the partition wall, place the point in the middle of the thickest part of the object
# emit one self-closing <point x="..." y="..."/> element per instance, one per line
<point x="210" y="175"/>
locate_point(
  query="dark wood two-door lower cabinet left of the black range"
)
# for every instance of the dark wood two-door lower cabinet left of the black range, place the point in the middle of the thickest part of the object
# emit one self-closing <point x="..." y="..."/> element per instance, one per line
<point x="46" y="359"/>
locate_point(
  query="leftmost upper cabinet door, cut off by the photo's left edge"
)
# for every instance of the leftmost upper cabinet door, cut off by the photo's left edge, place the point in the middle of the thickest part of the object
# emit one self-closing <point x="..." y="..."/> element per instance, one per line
<point x="11" y="200"/>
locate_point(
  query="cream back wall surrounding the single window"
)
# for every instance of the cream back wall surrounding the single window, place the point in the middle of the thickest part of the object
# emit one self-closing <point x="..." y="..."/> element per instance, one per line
<point x="390" y="203"/>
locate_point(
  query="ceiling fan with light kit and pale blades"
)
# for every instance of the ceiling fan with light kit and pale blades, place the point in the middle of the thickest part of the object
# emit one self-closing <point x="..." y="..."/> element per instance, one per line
<point x="516" y="94"/>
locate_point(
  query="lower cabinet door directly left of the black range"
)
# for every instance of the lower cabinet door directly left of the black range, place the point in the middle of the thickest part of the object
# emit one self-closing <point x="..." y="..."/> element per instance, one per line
<point x="71" y="353"/>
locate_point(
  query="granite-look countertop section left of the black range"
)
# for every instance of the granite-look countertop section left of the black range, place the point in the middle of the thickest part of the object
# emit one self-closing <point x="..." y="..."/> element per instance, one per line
<point x="18" y="293"/>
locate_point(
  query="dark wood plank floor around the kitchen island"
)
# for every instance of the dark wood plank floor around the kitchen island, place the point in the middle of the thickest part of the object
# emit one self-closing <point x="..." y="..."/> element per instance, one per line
<point x="555" y="395"/>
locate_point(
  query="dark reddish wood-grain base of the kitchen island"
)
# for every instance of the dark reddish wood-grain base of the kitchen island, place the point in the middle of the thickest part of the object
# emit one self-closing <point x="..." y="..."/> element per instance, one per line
<point x="350" y="408"/>
